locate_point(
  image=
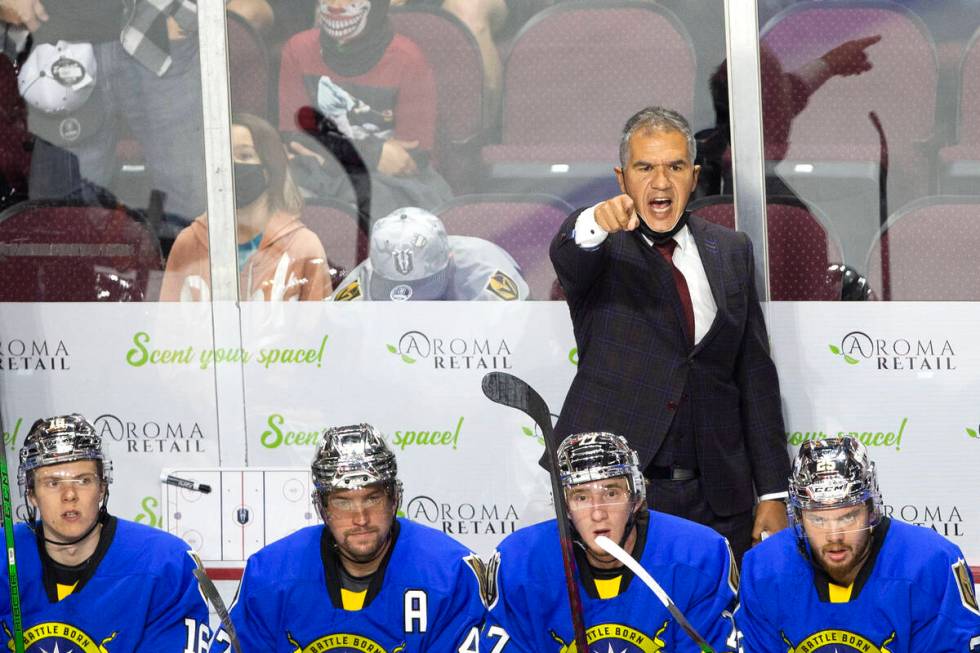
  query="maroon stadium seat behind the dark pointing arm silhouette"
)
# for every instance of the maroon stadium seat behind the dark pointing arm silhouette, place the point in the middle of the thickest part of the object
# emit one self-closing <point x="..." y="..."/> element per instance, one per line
<point x="832" y="151"/>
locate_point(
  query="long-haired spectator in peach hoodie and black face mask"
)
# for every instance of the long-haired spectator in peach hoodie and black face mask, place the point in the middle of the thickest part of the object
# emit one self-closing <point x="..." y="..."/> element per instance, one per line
<point x="279" y="259"/>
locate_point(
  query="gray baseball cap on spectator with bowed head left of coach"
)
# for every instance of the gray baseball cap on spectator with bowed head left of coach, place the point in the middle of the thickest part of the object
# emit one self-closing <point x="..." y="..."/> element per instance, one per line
<point x="409" y="256"/>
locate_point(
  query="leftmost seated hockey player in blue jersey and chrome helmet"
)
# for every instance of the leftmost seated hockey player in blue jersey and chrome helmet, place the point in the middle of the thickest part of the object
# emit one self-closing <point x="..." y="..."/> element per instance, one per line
<point x="91" y="582"/>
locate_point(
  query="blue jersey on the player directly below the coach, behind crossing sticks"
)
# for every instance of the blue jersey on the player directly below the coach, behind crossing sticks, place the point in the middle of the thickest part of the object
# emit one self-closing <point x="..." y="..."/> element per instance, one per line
<point x="529" y="613"/>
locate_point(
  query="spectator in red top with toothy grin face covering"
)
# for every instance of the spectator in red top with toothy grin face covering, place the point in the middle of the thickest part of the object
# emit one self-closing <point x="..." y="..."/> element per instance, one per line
<point x="353" y="80"/>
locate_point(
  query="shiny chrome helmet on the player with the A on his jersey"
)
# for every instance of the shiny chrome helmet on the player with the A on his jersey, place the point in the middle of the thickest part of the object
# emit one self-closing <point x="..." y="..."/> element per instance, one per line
<point x="352" y="457"/>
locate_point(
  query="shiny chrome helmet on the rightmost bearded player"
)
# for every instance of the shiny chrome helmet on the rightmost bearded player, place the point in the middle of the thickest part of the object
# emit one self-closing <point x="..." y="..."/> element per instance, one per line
<point x="833" y="473"/>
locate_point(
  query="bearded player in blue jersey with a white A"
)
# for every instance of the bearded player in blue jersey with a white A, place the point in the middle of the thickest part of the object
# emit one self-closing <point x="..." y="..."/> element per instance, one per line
<point x="365" y="581"/>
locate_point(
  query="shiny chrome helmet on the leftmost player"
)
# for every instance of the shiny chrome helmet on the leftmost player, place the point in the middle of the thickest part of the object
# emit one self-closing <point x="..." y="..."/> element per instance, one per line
<point x="57" y="440"/>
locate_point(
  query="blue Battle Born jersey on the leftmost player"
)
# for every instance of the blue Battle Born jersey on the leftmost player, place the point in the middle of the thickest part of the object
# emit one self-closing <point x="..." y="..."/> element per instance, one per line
<point x="142" y="598"/>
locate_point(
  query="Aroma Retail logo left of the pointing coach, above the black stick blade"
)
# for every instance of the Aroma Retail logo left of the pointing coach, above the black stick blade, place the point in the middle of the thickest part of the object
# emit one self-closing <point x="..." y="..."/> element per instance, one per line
<point x="452" y="352"/>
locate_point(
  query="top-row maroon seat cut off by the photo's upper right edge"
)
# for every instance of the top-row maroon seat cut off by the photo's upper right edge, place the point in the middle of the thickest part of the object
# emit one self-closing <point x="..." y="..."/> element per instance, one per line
<point x="960" y="163"/>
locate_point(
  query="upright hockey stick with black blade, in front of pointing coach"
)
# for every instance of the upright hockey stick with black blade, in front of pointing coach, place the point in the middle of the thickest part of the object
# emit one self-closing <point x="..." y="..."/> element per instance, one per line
<point x="508" y="390"/>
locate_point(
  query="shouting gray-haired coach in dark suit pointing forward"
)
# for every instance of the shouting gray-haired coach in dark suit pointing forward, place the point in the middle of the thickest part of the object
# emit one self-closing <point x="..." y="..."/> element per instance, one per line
<point x="673" y="350"/>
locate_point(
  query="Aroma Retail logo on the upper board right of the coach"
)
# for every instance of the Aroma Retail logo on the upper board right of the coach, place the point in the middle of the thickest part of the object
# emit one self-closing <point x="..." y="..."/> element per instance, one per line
<point x="896" y="354"/>
